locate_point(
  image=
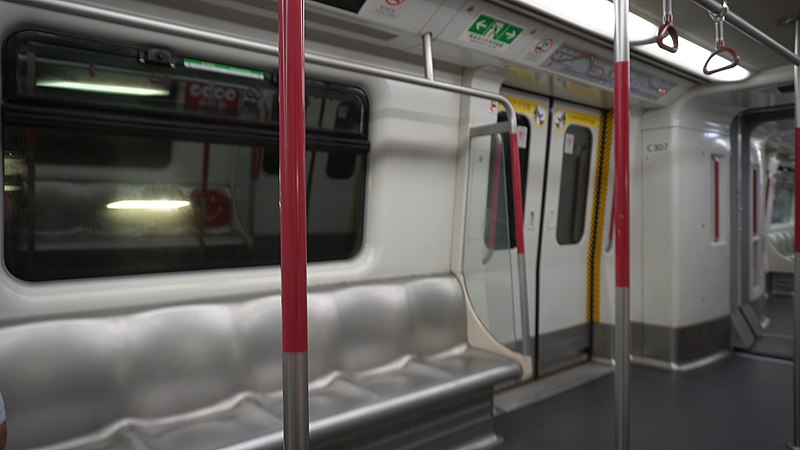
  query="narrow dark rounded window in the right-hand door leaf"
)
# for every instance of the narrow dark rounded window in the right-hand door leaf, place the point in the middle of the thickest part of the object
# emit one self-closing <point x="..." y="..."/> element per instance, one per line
<point x="574" y="187"/>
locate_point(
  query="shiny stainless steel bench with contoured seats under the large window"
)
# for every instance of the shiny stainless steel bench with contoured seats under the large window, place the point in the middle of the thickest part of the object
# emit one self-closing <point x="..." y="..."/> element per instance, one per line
<point x="208" y="376"/>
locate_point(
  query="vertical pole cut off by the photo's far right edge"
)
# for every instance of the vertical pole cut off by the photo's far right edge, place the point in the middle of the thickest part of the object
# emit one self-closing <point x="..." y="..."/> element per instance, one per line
<point x="796" y="383"/>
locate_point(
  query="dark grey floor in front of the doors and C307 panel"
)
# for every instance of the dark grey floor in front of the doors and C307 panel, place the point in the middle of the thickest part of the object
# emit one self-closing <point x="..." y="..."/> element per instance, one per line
<point x="743" y="402"/>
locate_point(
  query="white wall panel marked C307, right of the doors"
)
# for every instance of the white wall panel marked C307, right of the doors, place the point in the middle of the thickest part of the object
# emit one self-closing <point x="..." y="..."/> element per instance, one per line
<point x="686" y="273"/>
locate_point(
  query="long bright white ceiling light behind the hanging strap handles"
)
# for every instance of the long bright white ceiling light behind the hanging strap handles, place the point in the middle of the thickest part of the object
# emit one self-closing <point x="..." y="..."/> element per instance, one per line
<point x="598" y="16"/>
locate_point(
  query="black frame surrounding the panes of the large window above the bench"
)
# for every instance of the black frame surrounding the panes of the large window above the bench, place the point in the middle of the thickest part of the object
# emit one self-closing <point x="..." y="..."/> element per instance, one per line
<point x="23" y="110"/>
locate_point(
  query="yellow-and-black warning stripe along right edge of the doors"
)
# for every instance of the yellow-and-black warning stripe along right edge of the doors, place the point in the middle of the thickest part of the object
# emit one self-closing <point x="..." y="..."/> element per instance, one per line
<point x="595" y="256"/>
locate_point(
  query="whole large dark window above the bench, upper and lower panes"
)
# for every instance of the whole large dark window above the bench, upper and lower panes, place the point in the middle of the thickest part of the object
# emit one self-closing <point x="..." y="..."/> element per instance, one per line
<point x="120" y="161"/>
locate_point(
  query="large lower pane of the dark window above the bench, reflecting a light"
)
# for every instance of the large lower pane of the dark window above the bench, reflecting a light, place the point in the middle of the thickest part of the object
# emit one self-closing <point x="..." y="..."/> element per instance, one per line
<point x="83" y="219"/>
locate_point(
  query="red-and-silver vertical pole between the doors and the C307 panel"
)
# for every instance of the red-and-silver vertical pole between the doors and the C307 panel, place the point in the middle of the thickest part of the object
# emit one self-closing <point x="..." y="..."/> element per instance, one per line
<point x="621" y="219"/>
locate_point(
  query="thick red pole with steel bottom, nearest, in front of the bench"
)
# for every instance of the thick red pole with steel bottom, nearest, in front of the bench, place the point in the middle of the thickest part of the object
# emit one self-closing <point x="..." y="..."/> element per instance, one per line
<point x="294" y="288"/>
